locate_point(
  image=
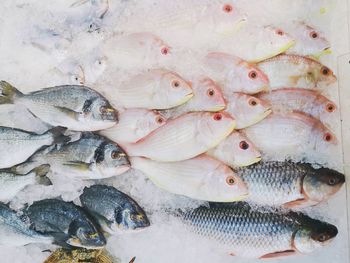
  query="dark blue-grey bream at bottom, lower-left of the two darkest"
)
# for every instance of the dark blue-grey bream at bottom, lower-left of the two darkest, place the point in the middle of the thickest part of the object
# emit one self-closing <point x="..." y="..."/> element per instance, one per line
<point x="67" y="223"/>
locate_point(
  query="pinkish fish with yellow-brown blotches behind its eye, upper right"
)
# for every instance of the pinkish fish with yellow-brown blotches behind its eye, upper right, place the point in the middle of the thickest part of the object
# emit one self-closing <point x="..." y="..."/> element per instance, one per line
<point x="296" y="71"/>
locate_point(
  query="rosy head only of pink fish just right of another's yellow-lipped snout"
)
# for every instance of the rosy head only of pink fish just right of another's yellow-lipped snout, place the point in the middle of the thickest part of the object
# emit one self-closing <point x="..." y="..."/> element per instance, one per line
<point x="207" y="96"/>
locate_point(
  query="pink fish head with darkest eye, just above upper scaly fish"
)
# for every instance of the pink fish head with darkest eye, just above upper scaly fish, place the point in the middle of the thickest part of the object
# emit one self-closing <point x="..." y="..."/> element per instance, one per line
<point x="242" y="149"/>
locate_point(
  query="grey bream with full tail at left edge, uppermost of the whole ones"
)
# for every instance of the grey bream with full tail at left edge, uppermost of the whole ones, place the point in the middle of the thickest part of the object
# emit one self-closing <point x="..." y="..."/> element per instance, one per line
<point x="75" y="107"/>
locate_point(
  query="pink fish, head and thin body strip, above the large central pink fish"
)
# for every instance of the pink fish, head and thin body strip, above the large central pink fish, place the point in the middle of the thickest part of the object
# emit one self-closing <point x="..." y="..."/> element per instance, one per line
<point x="207" y="96"/>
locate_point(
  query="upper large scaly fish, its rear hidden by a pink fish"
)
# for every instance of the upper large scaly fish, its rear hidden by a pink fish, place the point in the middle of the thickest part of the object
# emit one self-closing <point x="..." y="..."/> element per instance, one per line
<point x="289" y="184"/>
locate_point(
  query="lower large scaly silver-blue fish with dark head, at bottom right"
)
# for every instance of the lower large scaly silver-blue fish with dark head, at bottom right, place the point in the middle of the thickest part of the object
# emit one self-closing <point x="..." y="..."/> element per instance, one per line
<point x="246" y="232"/>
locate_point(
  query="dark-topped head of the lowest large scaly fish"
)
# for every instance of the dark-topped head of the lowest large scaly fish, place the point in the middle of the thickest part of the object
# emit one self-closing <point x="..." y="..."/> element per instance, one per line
<point x="313" y="235"/>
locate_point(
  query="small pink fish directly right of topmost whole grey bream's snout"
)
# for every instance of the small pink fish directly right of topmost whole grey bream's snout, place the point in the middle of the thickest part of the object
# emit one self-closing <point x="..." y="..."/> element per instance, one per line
<point x="133" y="125"/>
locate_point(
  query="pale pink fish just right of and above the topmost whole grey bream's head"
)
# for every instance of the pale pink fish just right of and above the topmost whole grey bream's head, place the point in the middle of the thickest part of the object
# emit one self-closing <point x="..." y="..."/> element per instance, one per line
<point x="156" y="89"/>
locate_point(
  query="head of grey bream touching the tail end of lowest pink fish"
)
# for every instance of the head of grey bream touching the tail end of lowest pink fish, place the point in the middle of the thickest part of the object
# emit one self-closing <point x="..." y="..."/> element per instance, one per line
<point x="111" y="160"/>
